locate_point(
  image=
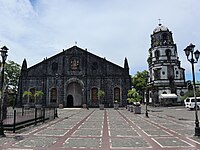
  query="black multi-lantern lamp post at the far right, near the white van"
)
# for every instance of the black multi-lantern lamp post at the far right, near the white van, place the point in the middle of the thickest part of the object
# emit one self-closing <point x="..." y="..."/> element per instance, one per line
<point x="189" y="51"/>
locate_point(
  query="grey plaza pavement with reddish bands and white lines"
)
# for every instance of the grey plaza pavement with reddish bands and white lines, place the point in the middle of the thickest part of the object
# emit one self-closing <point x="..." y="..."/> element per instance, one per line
<point x="109" y="129"/>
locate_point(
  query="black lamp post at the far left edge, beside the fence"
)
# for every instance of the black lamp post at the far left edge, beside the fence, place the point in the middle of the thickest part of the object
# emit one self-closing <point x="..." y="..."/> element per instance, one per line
<point x="4" y="55"/>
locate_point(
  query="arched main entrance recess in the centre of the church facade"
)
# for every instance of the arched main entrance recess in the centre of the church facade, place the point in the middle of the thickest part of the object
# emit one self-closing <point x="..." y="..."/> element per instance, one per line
<point x="74" y="95"/>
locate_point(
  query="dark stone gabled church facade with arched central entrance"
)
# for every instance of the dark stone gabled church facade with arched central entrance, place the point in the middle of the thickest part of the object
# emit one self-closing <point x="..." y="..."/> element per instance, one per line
<point x="73" y="78"/>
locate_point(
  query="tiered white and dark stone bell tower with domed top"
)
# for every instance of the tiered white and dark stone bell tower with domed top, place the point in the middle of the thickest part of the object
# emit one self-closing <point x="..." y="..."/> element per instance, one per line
<point x="166" y="76"/>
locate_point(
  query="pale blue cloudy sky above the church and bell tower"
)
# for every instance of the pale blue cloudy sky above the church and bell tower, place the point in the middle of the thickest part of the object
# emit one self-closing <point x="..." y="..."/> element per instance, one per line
<point x="115" y="29"/>
